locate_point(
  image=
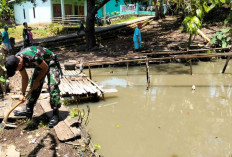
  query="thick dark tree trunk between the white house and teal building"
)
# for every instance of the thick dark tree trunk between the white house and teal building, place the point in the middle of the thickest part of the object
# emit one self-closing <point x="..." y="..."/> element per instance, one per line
<point x="90" y="30"/>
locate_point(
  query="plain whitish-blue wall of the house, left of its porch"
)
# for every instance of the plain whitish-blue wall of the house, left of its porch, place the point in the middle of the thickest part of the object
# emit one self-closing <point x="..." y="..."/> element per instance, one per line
<point x="42" y="12"/>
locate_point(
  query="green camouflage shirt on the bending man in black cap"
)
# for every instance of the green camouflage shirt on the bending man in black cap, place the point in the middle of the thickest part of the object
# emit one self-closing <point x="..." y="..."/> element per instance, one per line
<point x="33" y="56"/>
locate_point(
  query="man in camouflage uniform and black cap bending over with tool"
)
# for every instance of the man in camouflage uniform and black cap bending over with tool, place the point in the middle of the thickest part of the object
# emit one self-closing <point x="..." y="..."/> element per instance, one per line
<point x="45" y="63"/>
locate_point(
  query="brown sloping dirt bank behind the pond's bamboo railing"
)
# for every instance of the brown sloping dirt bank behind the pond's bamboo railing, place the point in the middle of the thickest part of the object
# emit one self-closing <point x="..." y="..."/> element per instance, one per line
<point x="164" y="34"/>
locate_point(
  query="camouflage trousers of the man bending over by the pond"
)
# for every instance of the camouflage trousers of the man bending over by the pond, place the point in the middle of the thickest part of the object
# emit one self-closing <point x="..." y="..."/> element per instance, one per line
<point x="53" y="76"/>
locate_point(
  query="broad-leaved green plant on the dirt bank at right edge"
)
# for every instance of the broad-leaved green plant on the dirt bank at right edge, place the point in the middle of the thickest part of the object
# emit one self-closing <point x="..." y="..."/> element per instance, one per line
<point x="221" y="39"/>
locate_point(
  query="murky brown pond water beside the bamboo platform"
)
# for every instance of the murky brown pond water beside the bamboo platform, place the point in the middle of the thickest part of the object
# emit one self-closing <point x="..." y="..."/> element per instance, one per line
<point x="168" y="120"/>
